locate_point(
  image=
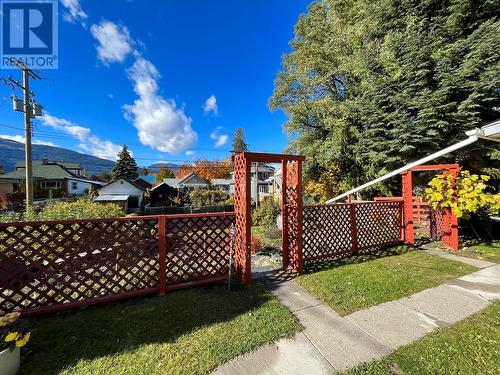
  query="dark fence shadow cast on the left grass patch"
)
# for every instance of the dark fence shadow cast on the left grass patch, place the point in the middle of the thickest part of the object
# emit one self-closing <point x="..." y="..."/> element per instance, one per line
<point x="61" y="340"/>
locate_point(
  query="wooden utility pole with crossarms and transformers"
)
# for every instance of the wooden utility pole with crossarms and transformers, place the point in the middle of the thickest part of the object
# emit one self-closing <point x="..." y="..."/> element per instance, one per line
<point x="30" y="109"/>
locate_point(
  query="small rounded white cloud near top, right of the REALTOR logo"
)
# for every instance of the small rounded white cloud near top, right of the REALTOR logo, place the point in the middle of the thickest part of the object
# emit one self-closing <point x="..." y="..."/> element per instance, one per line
<point x="114" y="41"/>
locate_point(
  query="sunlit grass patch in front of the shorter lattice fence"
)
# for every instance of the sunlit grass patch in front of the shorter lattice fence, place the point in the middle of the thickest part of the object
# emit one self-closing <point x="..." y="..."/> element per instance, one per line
<point x="356" y="283"/>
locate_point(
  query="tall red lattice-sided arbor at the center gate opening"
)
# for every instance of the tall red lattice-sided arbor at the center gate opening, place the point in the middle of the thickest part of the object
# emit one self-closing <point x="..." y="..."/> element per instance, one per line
<point x="291" y="204"/>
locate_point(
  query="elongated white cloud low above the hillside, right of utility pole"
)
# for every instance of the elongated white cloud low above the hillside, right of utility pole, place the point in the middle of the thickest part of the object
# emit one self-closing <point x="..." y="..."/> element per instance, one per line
<point x="88" y="142"/>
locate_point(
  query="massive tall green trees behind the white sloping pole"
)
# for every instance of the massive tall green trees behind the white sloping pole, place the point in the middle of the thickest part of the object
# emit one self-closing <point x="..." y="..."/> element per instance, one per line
<point x="371" y="85"/>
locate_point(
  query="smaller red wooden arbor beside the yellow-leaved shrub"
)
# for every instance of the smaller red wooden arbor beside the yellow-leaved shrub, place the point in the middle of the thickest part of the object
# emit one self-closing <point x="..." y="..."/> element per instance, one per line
<point x="449" y="220"/>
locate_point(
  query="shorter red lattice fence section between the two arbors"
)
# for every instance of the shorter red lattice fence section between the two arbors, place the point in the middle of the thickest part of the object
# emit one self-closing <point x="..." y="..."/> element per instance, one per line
<point x="331" y="231"/>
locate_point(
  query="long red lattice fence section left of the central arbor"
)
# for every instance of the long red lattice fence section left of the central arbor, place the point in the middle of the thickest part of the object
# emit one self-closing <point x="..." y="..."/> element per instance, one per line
<point x="50" y="266"/>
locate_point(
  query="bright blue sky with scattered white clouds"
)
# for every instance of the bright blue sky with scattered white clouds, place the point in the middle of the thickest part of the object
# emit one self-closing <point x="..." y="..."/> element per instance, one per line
<point x="171" y="79"/>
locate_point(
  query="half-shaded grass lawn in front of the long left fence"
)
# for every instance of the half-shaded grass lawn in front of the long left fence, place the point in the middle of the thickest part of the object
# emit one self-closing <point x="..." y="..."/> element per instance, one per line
<point x="185" y="332"/>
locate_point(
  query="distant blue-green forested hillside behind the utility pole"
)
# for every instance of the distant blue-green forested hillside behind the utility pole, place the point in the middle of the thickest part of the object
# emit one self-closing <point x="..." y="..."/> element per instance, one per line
<point x="12" y="152"/>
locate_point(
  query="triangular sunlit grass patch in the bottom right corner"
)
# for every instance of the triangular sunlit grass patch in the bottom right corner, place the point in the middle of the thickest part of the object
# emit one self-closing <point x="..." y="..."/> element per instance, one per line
<point x="469" y="347"/>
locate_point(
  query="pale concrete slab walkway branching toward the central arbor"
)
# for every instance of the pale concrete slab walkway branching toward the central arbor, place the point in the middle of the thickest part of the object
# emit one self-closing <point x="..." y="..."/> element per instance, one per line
<point x="330" y="342"/>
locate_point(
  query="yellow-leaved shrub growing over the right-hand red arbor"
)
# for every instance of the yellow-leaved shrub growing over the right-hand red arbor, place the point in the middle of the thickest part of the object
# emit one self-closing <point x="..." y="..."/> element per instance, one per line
<point x="464" y="194"/>
